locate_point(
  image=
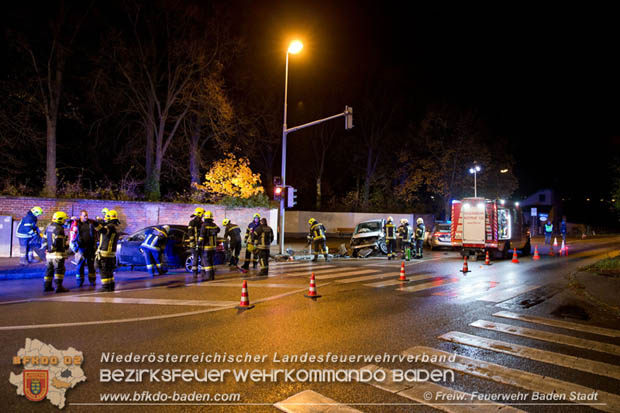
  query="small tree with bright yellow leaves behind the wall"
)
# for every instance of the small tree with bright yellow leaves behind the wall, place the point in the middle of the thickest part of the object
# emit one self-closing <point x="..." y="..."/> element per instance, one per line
<point x="233" y="178"/>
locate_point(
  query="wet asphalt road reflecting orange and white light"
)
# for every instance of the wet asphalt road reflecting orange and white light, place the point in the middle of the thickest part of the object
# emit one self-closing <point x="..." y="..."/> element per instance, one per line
<point x="171" y="314"/>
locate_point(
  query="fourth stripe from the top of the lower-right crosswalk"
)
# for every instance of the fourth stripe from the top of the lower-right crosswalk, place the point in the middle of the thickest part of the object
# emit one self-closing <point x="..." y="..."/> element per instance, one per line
<point x="607" y="402"/>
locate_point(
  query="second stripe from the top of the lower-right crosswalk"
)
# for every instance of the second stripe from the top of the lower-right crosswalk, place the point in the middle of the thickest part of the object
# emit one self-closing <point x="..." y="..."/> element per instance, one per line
<point x="550" y="337"/>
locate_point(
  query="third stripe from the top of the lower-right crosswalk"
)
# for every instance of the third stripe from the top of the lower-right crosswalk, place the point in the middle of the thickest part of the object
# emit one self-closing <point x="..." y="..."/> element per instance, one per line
<point x="577" y="363"/>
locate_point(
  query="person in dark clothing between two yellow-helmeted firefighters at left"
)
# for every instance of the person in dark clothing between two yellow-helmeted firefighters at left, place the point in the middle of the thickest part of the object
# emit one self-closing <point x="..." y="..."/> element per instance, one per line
<point x="84" y="244"/>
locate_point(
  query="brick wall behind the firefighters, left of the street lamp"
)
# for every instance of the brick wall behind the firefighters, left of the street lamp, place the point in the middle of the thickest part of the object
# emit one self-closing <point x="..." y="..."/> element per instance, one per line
<point x="133" y="215"/>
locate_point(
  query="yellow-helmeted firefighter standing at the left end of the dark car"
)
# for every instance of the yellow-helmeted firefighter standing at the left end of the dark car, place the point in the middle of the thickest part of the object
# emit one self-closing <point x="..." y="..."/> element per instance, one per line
<point x="106" y="252"/>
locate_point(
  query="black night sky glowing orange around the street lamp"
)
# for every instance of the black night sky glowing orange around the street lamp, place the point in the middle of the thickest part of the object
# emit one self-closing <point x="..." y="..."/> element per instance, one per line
<point x="545" y="78"/>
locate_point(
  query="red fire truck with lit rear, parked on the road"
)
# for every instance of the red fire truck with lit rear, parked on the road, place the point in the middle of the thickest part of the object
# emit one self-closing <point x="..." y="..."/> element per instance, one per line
<point x="480" y="225"/>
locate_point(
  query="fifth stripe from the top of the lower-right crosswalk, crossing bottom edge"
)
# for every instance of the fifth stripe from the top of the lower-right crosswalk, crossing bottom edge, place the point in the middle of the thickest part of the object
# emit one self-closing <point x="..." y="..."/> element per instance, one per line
<point x="416" y="391"/>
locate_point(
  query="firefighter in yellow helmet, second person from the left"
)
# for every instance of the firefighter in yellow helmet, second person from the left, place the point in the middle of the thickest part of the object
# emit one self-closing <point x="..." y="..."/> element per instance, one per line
<point x="56" y="253"/>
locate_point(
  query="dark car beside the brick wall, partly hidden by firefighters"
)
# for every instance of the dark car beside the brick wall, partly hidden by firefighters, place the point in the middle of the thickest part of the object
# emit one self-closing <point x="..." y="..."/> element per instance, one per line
<point x="177" y="253"/>
